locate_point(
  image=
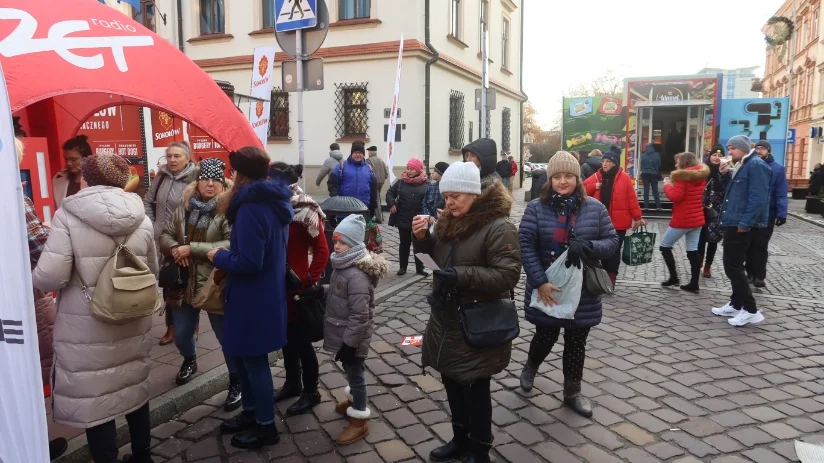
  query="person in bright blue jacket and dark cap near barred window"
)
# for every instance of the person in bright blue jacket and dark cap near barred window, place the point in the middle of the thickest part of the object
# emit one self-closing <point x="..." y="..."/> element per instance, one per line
<point x="354" y="177"/>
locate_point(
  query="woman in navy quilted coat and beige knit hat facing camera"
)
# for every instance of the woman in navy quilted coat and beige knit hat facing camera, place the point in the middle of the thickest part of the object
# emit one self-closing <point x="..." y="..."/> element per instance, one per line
<point x="563" y="219"/>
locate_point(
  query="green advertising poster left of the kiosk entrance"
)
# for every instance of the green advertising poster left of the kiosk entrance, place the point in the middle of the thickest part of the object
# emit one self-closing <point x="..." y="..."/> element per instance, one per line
<point x="595" y="122"/>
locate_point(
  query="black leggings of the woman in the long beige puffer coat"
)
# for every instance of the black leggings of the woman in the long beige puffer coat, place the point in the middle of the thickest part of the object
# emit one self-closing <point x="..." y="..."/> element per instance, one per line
<point x="102" y="438"/>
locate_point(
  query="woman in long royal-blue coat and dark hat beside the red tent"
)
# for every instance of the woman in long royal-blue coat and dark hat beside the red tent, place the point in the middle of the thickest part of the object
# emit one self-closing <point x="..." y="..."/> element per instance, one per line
<point x="259" y="211"/>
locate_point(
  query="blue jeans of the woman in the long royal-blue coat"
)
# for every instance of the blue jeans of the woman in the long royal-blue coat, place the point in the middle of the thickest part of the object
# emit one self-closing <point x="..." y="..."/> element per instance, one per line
<point x="256" y="387"/>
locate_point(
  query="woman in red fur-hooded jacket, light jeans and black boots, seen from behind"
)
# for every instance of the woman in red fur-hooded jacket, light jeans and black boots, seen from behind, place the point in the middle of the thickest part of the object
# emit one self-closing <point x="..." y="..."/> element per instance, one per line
<point x="685" y="188"/>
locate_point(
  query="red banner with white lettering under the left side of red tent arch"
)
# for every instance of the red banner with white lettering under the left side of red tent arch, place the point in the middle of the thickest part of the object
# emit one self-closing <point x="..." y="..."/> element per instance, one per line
<point x="115" y="130"/>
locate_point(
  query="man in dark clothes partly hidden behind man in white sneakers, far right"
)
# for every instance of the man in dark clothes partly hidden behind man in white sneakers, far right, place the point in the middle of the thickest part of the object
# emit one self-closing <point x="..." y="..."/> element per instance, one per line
<point x="759" y="254"/>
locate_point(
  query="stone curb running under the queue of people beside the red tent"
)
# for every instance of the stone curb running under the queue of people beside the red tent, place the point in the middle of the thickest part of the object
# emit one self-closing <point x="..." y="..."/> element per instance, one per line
<point x="162" y="408"/>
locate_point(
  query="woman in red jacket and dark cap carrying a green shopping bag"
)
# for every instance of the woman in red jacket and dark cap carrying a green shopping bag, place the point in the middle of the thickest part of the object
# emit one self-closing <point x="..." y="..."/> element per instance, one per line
<point x="613" y="187"/>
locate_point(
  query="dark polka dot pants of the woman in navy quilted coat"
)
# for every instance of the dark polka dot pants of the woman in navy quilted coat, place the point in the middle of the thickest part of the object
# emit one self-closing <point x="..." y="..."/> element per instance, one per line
<point x="575" y="342"/>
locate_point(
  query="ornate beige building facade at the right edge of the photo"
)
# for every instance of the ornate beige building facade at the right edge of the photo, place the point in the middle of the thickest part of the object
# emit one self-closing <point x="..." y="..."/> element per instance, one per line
<point x="807" y="105"/>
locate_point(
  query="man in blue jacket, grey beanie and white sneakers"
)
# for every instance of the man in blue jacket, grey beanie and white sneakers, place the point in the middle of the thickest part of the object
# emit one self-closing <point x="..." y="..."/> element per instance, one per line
<point x="744" y="217"/>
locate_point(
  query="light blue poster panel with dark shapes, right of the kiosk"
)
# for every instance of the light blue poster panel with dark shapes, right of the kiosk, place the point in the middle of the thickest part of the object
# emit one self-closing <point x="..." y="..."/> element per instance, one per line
<point x="759" y="119"/>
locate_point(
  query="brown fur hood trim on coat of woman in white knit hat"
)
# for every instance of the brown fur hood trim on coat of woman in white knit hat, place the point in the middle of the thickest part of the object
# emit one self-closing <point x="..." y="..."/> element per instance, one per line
<point x="494" y="203"/>
